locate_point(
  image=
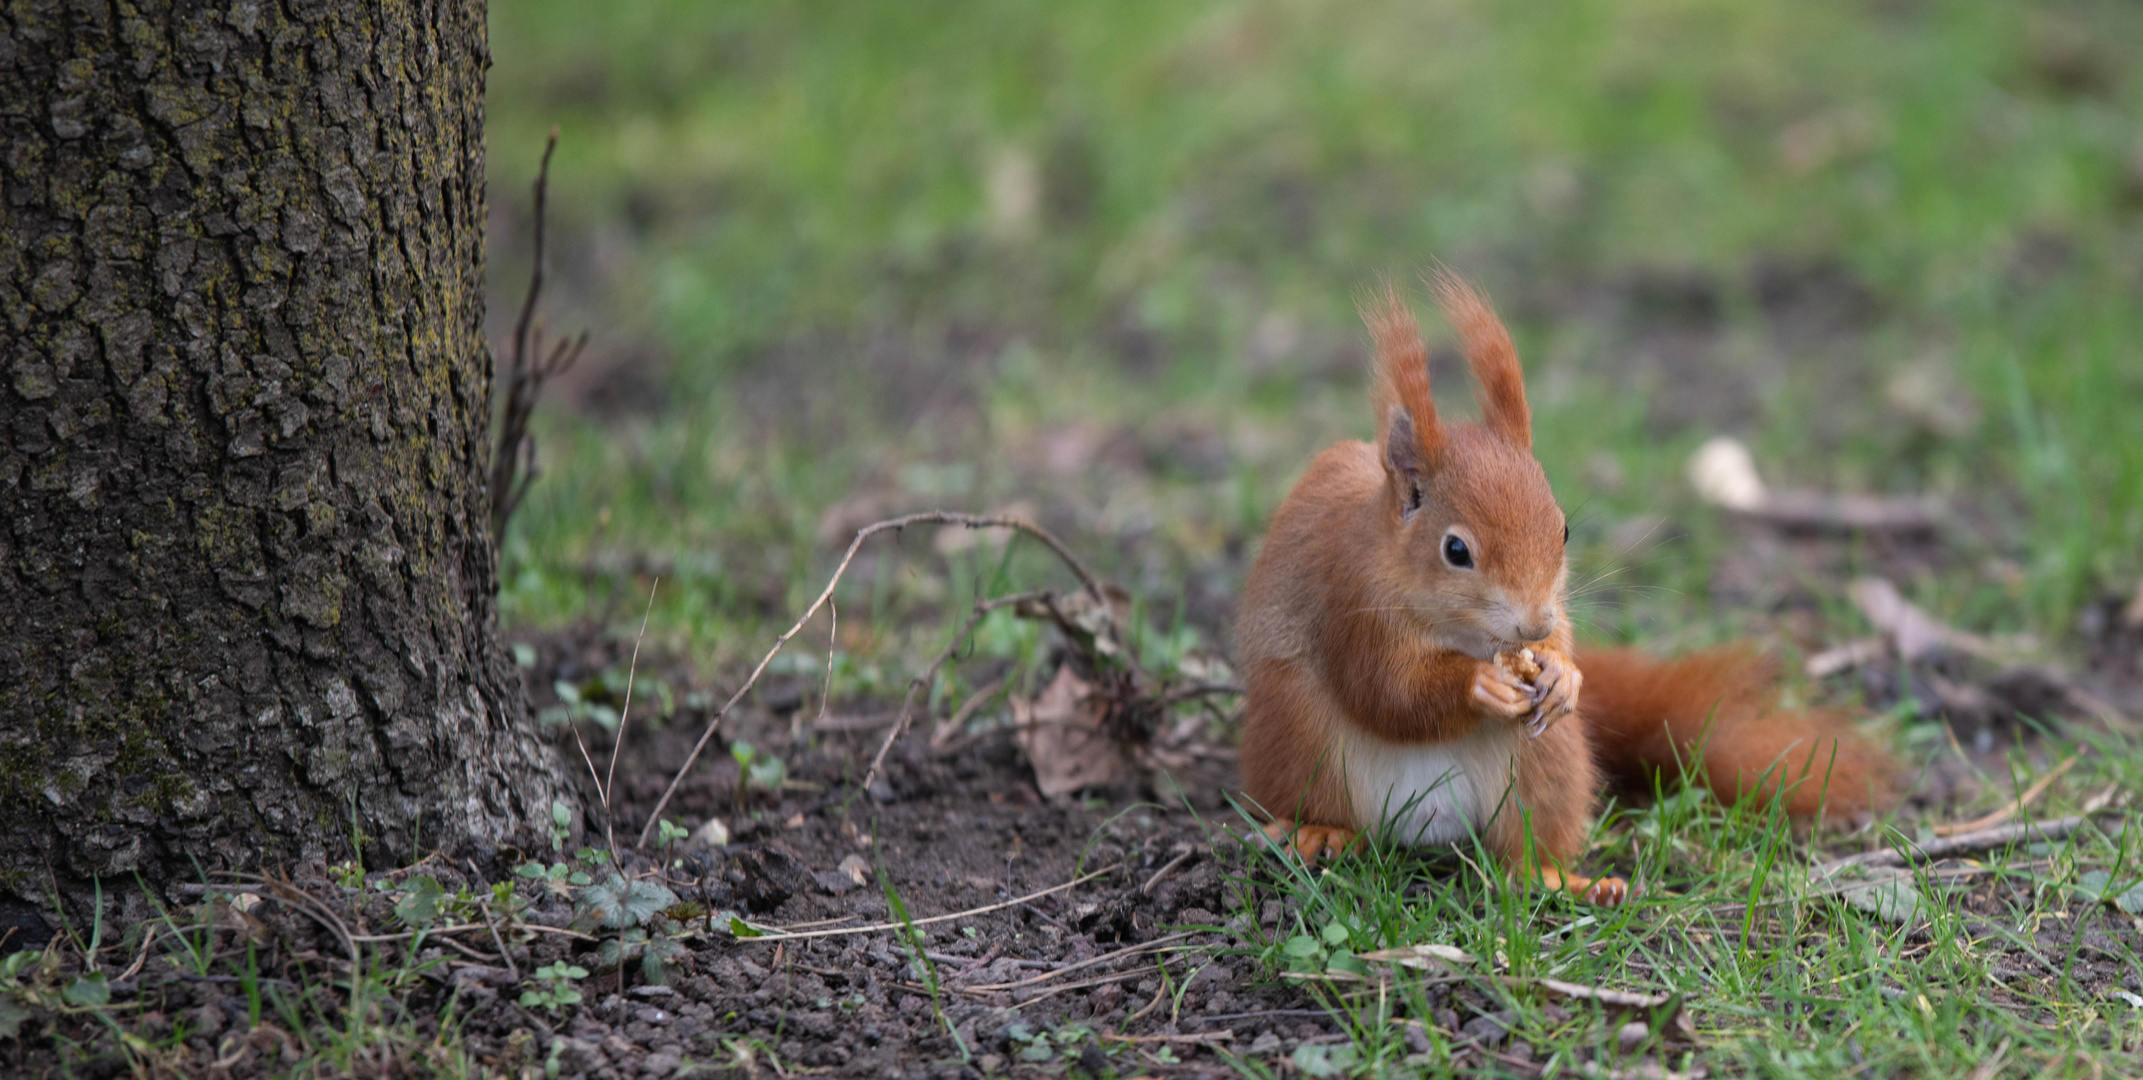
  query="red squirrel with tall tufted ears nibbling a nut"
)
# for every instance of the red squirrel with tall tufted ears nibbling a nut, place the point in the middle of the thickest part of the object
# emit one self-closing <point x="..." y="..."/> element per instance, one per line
<point x="1409" y="657"/>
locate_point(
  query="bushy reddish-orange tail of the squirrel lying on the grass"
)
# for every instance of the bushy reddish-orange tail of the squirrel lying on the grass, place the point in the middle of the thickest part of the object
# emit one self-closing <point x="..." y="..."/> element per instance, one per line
<point x="1718" y="715"/>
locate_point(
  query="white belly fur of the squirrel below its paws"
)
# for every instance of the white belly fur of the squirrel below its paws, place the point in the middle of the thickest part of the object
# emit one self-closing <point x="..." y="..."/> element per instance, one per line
<point x="1430" y="794"/>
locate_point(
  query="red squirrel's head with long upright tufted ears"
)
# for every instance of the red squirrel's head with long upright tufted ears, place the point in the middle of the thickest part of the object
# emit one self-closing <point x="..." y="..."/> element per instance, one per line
<point x="1480" y="535"/>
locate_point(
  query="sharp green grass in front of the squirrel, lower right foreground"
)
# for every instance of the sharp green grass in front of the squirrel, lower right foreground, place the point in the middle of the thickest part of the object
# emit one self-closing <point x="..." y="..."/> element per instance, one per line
<point x="1780" y="974"/>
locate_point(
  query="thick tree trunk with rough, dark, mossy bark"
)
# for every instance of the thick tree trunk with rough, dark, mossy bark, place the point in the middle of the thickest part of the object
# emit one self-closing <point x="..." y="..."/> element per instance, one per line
<point x="248" y="588"/>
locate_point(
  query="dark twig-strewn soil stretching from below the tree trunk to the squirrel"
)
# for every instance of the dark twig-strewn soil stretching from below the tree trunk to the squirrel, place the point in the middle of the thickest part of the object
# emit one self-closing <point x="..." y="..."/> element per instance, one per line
<point x="944" y="832"/>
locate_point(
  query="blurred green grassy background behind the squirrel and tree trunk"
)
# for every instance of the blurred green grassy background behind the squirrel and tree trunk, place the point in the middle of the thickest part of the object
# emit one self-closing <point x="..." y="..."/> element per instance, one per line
<point x="1100" y="262"/>
